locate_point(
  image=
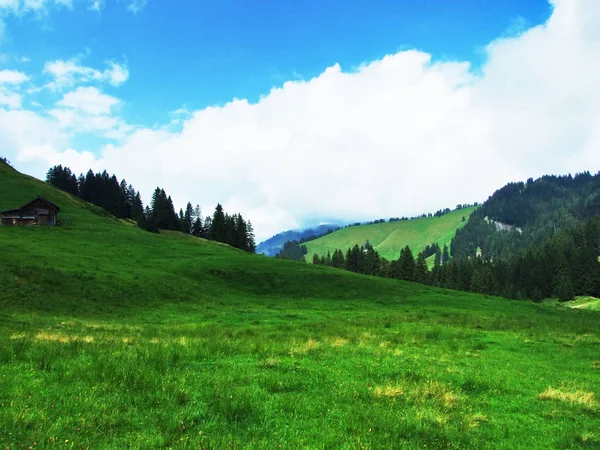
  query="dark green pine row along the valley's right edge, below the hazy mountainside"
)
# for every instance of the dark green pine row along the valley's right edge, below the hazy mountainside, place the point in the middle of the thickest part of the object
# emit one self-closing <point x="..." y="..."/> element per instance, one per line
<point x="563" y="266"/>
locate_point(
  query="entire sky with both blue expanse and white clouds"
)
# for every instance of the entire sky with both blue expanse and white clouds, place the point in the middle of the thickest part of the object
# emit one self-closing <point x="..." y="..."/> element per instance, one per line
<point x="294" y="112"/>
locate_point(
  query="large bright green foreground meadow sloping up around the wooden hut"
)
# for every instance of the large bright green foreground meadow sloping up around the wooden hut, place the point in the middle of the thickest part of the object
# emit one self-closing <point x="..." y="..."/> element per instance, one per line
<point x="112" y="337"/>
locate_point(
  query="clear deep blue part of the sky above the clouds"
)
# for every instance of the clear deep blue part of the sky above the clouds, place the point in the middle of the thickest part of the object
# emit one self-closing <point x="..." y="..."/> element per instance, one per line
<point x="201" y="53"/>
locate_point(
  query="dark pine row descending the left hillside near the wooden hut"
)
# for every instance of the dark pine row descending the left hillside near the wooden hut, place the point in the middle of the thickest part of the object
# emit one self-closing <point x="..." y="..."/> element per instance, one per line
<point x="123" y="201"/>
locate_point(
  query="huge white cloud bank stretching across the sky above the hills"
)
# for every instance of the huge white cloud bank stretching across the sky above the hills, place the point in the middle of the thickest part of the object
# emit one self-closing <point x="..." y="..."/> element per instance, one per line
<point x="398" y="136"/>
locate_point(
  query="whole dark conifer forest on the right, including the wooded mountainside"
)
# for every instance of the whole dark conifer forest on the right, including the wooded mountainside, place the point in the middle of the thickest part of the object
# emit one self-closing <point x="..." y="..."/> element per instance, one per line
<point x="531" y="240"/>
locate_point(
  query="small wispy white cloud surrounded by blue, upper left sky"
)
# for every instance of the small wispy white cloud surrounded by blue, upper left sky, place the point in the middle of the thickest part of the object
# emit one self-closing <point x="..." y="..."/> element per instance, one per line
<point x="68" y="73"/>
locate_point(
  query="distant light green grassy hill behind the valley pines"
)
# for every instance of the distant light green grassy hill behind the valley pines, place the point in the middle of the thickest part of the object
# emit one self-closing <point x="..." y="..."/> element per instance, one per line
<point x="390" y="237"/>
